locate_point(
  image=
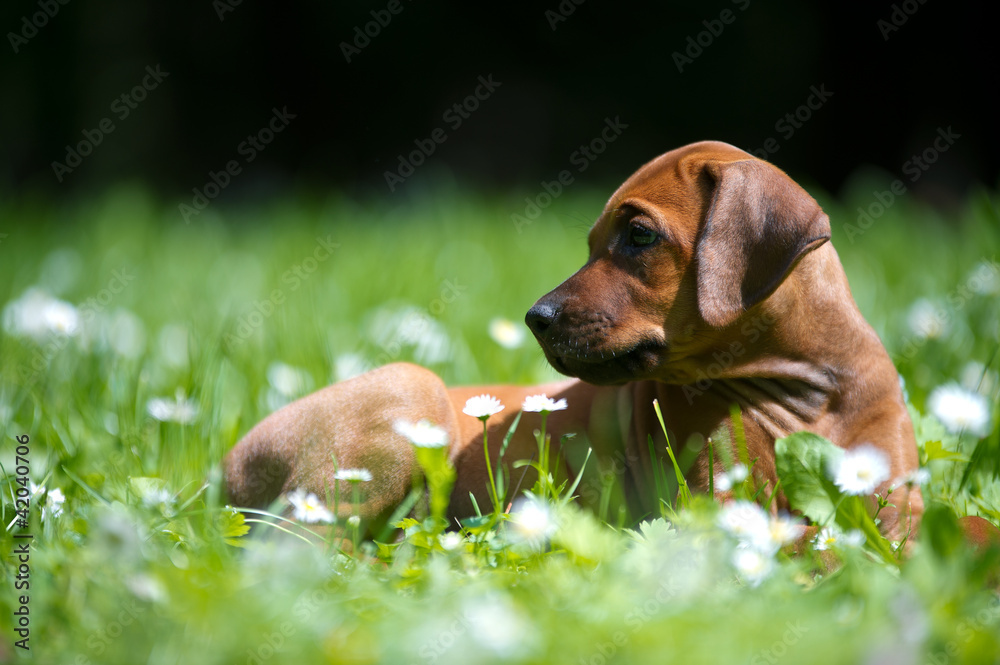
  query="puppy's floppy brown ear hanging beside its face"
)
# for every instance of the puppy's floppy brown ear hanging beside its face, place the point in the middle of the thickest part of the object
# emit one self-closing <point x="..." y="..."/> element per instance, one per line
<point x="758" y="225"/>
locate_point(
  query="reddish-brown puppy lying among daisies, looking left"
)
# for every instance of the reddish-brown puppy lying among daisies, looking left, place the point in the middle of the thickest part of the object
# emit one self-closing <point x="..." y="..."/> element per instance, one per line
<point x="710" y="283"/>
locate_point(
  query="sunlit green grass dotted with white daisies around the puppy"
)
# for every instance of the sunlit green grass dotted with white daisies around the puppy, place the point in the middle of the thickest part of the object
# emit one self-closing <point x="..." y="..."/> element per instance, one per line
<point x="144" y="564"/>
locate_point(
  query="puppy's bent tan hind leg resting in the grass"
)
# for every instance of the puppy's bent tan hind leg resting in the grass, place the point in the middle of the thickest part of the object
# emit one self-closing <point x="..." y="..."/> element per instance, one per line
<point x="349" y="425"/>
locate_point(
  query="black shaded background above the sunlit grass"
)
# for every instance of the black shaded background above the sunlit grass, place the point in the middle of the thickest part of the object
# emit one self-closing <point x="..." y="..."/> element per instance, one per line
<point x="607" y="59"/>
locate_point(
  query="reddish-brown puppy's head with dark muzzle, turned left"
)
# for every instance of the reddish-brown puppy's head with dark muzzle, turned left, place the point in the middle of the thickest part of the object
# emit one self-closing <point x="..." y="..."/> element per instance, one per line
<point x="683" y="251"/>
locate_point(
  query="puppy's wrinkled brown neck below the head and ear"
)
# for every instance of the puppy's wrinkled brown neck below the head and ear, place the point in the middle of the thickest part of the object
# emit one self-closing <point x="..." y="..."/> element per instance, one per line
<point x="791" y="360"/>
